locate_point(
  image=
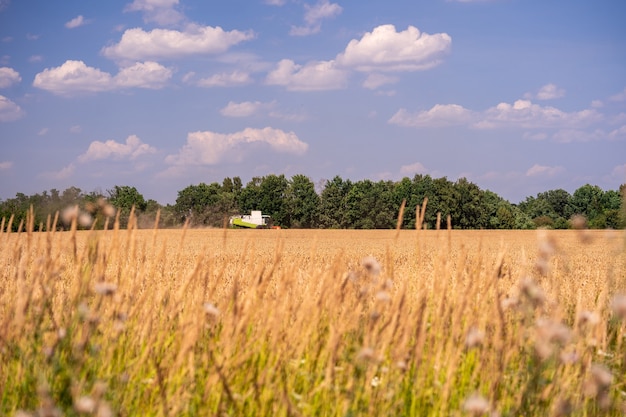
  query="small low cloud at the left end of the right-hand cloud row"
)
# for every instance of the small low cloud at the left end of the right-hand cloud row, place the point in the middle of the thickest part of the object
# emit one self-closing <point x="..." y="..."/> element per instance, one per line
<point x="438" y="115"/>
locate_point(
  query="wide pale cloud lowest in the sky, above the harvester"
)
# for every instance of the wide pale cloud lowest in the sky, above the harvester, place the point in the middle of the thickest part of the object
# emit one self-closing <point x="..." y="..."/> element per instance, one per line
<point x="210" y="148"/>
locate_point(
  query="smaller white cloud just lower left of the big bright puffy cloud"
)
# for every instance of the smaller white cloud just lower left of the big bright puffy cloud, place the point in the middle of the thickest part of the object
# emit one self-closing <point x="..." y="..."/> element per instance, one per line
<point x="314" y="76"/>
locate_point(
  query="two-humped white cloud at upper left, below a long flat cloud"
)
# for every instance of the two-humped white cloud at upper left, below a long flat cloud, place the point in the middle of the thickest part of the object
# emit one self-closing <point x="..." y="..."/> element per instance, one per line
<point x="75" y="77"/>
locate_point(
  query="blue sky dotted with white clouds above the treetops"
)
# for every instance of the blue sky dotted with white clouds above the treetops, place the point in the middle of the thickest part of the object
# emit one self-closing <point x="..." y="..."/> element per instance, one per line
<point x="518" y="96"/>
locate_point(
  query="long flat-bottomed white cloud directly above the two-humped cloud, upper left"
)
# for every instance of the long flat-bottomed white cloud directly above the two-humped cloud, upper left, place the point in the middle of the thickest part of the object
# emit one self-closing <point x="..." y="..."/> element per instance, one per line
<point x="137" y="44"/>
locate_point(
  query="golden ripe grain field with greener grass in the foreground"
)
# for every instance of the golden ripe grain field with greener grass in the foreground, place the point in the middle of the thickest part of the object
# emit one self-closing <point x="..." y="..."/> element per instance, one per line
<point x="307" y="322"/>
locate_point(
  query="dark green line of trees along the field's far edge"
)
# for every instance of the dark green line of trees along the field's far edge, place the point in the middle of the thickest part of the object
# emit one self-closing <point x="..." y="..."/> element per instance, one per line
<point x="340" y="204"/>
